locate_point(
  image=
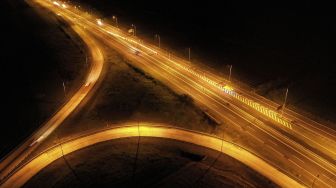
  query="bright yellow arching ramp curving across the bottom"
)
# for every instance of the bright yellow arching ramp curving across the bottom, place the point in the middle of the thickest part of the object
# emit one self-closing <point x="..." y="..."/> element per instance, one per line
<point x="32" y="167"/>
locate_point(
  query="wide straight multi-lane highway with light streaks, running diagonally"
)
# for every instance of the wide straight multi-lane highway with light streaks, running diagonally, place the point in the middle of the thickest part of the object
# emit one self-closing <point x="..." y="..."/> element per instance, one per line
<point x="299" y="147"/>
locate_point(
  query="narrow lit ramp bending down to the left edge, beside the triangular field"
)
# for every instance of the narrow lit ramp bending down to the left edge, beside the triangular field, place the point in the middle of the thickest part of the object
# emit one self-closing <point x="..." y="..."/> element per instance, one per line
<point x="13" y="159"/>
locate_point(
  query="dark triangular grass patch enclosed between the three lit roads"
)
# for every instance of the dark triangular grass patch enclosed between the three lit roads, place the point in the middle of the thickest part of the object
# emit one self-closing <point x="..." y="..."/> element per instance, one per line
<point x="127" y="94"/>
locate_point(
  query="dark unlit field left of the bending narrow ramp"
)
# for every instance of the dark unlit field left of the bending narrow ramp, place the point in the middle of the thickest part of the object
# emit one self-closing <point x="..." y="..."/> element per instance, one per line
<point x="38" y="53"/>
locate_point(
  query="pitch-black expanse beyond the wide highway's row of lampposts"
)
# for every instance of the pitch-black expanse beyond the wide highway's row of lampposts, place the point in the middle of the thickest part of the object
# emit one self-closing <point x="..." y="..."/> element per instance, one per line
<point x="291" y="44"/>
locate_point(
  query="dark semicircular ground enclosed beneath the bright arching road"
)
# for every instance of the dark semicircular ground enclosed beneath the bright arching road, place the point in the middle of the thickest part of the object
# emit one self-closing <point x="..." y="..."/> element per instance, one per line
<point x="160" y="163"/>
